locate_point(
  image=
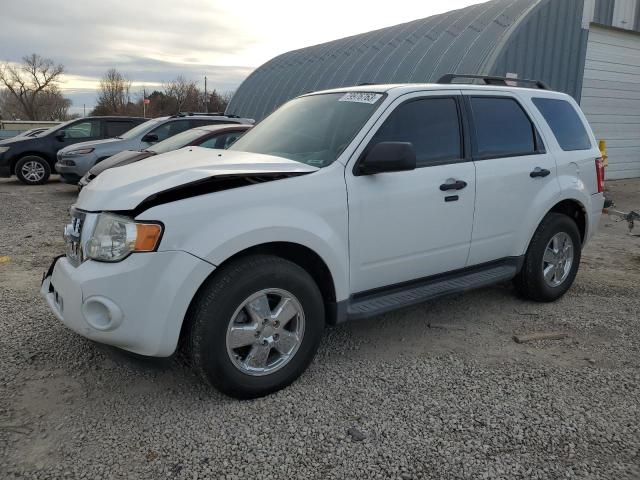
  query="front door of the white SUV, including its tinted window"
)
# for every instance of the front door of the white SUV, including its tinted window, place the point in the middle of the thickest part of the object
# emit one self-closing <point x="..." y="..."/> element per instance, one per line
<point x="409" y="225"/>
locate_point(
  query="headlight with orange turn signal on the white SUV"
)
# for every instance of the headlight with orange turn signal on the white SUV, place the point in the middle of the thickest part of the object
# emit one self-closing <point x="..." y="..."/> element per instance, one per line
<point x="115" y="237"/>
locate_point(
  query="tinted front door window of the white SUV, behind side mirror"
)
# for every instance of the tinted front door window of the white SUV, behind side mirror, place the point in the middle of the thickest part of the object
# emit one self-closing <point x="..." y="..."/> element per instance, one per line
<point x="431" y="125"/>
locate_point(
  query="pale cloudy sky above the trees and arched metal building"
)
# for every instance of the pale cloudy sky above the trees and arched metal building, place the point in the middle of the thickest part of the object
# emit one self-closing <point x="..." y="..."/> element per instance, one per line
<point x="154" y="41"/>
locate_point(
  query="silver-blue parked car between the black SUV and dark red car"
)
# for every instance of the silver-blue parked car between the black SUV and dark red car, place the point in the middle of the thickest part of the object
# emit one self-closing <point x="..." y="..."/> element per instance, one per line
<point x="74" y="162"/>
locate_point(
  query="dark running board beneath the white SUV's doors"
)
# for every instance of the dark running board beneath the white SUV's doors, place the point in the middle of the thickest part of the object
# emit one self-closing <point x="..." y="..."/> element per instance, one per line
<point x="379" y="302"/>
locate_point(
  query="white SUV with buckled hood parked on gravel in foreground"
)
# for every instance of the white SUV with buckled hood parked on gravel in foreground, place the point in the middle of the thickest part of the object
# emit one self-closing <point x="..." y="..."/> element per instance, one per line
<point x="343" y="204"/>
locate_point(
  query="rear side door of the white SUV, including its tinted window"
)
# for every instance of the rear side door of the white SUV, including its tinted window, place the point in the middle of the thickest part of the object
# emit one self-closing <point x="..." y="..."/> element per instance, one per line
<point x="515" y="175"/>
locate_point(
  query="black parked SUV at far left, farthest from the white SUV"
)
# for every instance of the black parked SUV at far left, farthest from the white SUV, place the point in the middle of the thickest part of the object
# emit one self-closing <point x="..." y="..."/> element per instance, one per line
<point x="32" y="159"/>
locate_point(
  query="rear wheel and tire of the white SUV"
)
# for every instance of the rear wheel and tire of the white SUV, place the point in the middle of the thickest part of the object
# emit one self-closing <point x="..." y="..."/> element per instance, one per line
<point x="552" y="260"/>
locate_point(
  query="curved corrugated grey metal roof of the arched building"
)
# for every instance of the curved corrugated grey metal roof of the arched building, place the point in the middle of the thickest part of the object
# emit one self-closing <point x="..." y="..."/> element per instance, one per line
<point x="417" y="51"/>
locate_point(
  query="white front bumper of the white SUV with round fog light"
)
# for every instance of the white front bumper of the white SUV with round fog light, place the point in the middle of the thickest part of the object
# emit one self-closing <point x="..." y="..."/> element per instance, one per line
<point x="137" y="304"/>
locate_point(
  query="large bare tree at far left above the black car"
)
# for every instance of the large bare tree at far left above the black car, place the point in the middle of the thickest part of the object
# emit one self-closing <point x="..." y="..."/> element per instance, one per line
<point x="29" y="81"/>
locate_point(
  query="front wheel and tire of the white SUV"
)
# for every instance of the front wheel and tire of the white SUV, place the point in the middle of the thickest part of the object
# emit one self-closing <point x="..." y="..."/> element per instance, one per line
<point x="255" y="326"/>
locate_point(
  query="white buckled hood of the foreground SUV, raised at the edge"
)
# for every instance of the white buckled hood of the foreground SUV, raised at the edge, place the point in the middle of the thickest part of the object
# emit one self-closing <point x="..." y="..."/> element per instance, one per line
<point x="124" y="188"/>
